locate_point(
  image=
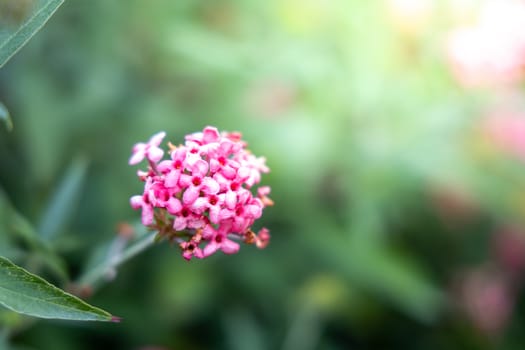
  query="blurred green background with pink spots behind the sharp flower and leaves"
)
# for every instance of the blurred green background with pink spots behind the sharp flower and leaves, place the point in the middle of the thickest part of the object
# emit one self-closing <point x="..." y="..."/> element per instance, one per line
<point x="395" y="134"/>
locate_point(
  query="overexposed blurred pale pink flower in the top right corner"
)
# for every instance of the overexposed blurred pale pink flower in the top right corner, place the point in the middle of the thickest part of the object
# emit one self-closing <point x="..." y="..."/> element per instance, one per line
<point x="492" y="51"/>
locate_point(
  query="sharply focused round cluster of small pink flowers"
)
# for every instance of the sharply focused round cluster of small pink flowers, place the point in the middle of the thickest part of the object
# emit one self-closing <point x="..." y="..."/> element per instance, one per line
<point x="201" y="198"/>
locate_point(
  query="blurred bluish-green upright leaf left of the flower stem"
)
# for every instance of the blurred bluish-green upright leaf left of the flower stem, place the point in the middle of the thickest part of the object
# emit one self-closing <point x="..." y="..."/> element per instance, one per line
<point x="63" y="202"/>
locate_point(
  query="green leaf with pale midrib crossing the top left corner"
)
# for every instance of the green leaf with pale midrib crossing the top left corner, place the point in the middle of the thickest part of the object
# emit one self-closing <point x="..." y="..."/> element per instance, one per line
<point x="12" y="41"/>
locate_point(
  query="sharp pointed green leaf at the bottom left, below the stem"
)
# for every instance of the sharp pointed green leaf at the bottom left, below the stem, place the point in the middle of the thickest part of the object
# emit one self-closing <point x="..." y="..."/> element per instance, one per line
<point x="29" y="294"/>
